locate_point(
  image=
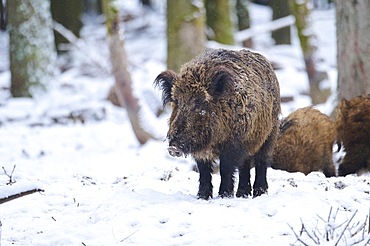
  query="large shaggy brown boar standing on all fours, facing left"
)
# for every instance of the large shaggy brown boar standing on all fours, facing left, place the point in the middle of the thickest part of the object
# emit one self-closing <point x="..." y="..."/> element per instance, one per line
<point x="225" y="106"/>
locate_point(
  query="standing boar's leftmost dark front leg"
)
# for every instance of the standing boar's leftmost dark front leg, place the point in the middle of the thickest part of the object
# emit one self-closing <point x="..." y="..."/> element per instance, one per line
<point x="205" y="179"/>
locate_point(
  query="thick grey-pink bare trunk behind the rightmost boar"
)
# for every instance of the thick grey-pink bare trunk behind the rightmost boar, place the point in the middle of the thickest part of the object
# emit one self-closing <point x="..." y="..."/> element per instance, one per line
<point x="353" y="48"/>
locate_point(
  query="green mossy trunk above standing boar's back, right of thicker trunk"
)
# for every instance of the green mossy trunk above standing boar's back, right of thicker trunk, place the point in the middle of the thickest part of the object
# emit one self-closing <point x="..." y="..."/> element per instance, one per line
<point x="219" y="21"/>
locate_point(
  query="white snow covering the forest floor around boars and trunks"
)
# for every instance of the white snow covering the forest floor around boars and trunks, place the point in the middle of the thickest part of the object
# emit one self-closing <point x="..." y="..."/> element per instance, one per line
<point x="103" y="188"/>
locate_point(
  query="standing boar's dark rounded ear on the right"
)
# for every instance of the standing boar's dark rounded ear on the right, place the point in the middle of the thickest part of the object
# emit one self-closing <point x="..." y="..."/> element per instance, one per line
<point x="221" y="83"/>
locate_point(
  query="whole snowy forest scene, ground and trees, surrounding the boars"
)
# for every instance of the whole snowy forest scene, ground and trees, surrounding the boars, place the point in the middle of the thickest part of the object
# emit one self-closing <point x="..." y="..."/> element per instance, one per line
<point x="81" y="124"/>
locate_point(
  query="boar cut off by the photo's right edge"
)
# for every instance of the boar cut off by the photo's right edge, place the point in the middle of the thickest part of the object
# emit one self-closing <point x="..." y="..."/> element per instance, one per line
<point x="353" y="130"/>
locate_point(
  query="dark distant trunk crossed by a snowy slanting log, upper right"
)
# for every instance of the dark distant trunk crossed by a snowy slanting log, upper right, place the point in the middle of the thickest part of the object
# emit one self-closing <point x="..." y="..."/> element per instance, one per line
<point x="280" y="8"/>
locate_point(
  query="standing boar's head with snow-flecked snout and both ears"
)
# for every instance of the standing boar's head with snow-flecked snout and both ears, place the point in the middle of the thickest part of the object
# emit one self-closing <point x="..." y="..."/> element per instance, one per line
<point x="198" y="96"/>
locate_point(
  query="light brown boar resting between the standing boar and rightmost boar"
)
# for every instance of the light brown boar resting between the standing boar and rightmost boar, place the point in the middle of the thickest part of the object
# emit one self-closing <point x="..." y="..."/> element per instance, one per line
<point x="305" y="143"/>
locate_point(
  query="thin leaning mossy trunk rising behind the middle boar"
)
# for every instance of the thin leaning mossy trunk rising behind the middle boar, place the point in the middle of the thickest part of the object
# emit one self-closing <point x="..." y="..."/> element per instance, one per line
<point x="301" y="11"/>
